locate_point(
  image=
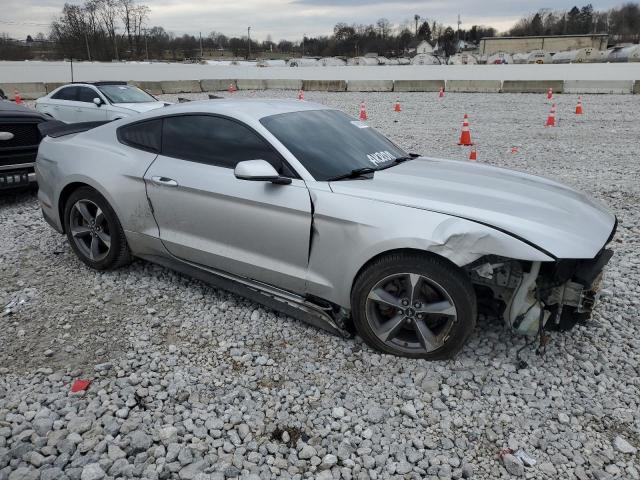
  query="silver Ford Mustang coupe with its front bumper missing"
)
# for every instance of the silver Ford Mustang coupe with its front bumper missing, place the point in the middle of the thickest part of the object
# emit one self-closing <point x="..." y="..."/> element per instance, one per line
<point x="313" y="213"/>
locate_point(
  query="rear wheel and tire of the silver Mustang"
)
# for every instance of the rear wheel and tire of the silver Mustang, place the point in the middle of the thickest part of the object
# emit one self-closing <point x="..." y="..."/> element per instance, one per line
<point x="81" y="205"/>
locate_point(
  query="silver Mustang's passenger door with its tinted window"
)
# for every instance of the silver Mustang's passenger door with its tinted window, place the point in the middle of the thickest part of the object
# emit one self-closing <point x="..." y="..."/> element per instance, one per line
<point x="205" y="215"/>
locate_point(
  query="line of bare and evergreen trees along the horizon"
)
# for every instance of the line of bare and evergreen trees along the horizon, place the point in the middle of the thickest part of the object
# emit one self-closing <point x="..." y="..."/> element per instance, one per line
<point x="117" y="30"/>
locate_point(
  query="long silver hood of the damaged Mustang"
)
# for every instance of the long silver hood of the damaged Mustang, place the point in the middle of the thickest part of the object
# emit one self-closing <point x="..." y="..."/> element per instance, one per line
<point x="557" y="219"/>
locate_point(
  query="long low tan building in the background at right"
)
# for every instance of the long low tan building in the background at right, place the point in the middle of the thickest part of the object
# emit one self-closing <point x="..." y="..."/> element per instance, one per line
<point x="546" y="43"/>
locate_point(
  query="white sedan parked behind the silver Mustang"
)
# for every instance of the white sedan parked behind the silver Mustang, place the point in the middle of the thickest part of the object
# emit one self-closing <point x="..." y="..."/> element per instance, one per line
<point x="97" y="101"/>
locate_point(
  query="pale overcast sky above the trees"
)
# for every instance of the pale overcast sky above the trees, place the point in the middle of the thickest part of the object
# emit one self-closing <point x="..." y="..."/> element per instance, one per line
<point x="291" y="19"/>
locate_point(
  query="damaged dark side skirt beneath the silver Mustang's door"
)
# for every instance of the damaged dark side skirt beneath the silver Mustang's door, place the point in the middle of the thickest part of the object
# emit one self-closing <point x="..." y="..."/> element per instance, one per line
<point x="283" y="301"/>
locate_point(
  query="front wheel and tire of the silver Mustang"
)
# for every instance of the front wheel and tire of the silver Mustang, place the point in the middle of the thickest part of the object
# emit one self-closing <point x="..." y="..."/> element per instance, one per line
<point x="441" y="311"/>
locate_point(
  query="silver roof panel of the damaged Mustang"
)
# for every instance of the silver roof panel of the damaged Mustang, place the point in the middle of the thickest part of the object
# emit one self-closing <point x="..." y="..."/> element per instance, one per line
<point x="249" y="108"/>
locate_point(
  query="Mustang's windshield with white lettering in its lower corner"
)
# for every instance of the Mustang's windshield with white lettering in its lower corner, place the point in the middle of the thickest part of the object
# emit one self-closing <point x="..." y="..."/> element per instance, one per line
<point x="330" y="143"/>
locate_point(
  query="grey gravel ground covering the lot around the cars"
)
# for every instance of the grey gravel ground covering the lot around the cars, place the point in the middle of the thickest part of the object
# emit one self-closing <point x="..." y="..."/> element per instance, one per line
<point x="190" y="382"/>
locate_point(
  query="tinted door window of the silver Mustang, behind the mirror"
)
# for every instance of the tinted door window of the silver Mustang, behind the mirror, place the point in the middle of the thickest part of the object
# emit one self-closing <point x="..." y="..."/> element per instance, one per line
<point x="215" y="141"/>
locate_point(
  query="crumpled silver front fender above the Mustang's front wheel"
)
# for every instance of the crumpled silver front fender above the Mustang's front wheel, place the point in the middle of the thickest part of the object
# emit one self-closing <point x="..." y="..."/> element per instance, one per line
<point x="349" y="232"/>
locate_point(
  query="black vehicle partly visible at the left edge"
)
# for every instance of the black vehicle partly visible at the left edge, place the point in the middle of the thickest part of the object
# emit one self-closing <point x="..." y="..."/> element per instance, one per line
<point x="19" y="140"/>
